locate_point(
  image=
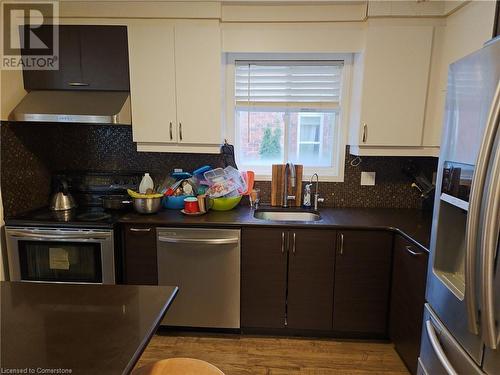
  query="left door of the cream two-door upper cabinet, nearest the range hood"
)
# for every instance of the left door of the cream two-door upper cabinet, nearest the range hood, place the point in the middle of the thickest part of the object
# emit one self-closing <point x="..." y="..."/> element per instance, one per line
<point x="152" y="81"/>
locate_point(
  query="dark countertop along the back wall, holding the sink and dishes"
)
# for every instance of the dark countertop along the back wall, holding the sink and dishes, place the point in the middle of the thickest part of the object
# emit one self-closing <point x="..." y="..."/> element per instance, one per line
<point x="411" y="223"/>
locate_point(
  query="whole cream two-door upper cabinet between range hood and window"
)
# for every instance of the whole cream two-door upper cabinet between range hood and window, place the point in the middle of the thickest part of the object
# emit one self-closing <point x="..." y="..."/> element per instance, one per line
<point x="176" y="86"/>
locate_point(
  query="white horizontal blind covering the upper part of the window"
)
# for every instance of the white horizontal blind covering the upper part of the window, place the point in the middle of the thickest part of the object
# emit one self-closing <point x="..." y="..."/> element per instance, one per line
<point x="314" y="84"/>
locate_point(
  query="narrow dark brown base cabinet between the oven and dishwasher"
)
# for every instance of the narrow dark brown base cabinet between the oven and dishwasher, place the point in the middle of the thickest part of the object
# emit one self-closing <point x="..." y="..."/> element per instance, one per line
<point x="140" y="258"/>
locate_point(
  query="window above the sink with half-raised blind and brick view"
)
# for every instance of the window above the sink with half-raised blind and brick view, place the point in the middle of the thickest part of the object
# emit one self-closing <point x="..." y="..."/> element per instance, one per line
<point x="289" y="111"/>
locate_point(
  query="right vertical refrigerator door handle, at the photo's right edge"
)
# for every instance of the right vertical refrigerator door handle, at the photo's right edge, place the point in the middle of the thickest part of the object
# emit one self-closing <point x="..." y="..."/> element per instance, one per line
<point x="489" y="242"/>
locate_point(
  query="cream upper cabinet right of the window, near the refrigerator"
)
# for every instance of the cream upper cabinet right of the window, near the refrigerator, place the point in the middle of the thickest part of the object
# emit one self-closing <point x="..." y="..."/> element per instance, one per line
<point x="390" y="87"/>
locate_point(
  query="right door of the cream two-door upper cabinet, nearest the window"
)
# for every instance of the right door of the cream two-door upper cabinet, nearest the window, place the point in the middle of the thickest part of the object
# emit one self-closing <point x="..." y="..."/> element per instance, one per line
<point x="198" y="72"/>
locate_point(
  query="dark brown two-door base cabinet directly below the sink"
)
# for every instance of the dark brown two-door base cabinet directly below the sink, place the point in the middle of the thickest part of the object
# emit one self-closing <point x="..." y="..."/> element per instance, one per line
<point x="287" y="278"/>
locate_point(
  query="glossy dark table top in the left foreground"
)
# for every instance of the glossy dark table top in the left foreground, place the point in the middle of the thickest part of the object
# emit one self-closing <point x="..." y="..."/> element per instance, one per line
<point x="90" y="329"/>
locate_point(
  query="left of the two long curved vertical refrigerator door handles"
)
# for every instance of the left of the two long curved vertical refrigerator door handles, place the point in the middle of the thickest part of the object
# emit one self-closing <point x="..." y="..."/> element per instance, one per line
<point x="473" y="216"/>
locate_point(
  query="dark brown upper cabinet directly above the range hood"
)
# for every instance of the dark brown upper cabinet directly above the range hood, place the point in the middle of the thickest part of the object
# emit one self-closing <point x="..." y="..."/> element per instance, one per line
<point x="90" y="58"/>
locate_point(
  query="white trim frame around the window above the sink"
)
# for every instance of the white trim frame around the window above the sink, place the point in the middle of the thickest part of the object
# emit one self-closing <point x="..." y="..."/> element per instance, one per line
<point x="331" y="174"/>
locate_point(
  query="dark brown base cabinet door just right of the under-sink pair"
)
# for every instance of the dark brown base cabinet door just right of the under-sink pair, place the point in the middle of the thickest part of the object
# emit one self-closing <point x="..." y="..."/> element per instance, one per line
<point x="362" y="282"/>
